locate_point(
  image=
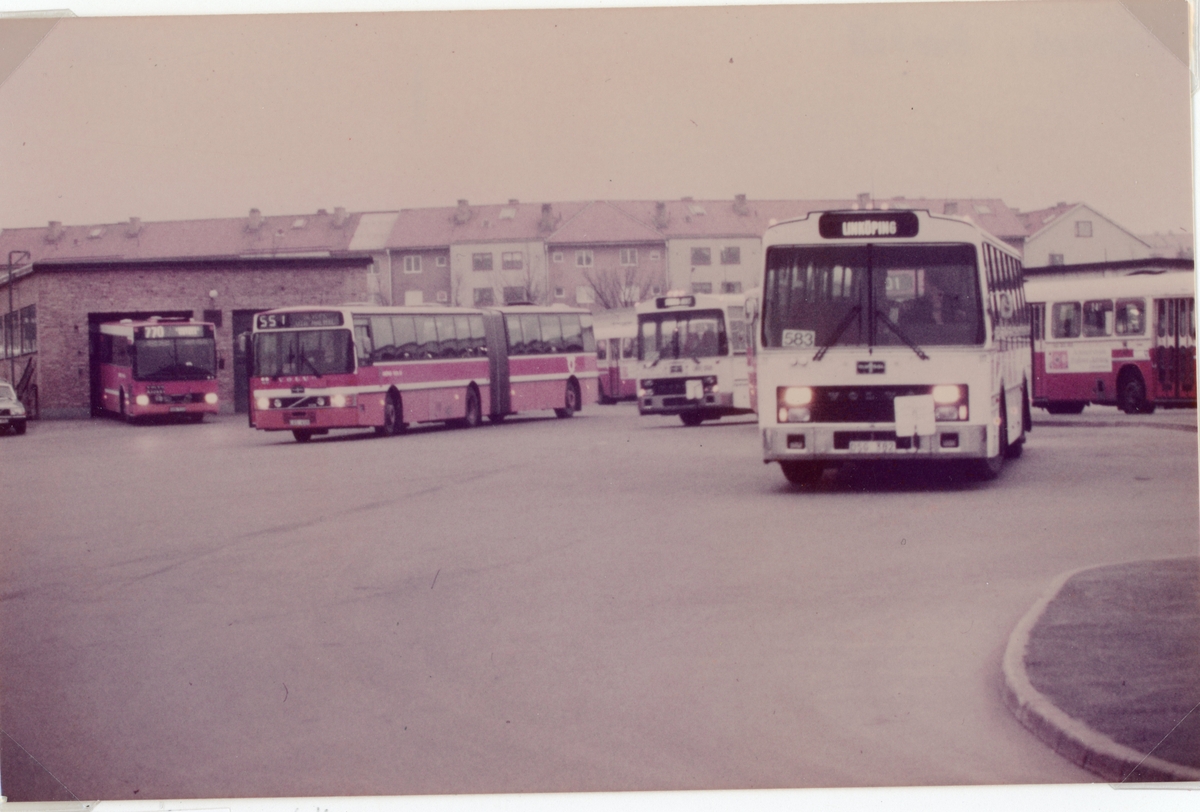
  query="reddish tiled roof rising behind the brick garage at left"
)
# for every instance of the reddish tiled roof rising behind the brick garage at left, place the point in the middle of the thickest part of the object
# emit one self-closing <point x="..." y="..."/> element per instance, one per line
<point x="190" y="239"/>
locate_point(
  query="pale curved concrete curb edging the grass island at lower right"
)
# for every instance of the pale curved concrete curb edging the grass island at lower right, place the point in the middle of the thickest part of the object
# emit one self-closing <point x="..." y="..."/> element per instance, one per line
<point x="1067" y="736"/>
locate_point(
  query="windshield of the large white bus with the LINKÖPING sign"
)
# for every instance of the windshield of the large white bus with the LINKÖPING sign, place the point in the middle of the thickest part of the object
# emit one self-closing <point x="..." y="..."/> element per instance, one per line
<point x="883" y="296"/>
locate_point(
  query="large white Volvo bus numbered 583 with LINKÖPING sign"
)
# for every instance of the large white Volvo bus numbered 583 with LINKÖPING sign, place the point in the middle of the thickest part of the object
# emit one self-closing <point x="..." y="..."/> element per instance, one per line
<point x="891" y="335"/>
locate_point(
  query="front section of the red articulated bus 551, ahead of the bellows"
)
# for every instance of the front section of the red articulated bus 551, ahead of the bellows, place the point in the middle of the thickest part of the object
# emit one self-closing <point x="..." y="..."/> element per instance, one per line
<point x="316" y="370"/>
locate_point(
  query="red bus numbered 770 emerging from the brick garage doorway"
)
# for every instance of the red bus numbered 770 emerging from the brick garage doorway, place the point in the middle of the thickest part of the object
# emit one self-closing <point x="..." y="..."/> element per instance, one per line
<point x="159" y="368"/>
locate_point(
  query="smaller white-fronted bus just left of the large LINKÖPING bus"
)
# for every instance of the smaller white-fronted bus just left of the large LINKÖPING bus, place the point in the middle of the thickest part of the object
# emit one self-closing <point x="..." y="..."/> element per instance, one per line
<point x="693" y="354"/>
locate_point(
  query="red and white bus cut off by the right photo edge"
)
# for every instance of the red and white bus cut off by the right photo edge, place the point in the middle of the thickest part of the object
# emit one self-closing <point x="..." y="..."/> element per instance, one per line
<point x="1126" y="341"/>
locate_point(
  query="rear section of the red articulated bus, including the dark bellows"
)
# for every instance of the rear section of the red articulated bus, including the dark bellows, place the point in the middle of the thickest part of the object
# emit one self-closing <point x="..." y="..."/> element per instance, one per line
<point x="543" y="358"/>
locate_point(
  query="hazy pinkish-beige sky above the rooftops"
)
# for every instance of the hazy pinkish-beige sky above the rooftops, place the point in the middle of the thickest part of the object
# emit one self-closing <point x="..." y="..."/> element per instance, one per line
<point x="177" y="117"/>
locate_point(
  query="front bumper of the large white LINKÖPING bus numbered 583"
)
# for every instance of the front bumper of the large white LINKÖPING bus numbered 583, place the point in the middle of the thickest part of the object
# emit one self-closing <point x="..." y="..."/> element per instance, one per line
<point x="854" y="442"/>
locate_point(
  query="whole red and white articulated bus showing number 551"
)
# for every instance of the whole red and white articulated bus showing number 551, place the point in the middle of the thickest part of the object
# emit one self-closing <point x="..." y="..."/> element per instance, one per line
<point x="359" y="366"/>
